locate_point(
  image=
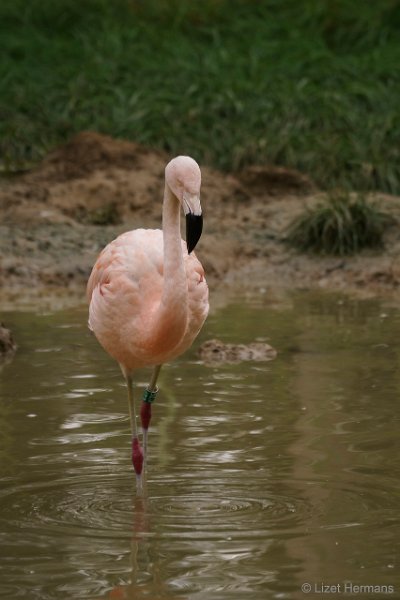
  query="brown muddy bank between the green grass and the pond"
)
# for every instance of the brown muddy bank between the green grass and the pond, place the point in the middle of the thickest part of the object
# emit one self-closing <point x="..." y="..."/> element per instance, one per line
<point x="56" y="218"/>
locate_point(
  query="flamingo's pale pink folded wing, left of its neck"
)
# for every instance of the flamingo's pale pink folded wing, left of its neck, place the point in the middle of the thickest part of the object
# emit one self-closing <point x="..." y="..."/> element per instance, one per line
<point x="124" y="290"/>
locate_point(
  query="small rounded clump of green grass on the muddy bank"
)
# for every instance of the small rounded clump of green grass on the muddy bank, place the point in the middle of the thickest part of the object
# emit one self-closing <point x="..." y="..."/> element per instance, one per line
<point x="340" y="225"/>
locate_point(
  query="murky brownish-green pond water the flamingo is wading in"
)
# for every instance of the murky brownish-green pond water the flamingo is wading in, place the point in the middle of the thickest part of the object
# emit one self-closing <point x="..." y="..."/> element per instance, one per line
<point x="261" y="477"/>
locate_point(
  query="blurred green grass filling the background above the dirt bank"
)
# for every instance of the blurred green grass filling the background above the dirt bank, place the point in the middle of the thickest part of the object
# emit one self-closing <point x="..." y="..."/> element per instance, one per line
<point x="310" y="84"/>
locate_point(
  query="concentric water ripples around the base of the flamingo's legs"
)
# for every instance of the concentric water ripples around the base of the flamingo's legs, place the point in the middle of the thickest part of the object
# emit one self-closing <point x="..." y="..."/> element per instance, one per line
<point x="103" y="506"/>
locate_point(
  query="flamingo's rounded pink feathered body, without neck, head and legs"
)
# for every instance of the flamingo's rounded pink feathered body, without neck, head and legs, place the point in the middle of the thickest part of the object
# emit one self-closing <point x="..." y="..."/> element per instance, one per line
<point x="125" y="292"/>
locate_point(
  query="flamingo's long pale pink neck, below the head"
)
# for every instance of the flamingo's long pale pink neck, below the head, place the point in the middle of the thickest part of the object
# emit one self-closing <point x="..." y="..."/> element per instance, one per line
<point x="171" y="316"/>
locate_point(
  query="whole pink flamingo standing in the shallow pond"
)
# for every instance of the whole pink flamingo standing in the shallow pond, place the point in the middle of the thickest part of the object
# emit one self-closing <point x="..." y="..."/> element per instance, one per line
<point x="147" y="294"/>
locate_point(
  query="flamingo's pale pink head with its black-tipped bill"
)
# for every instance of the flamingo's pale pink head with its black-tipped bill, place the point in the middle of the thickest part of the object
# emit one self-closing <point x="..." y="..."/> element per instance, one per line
<point x="183" y="177"/>
